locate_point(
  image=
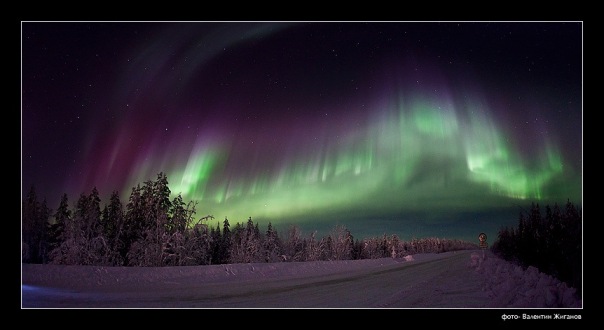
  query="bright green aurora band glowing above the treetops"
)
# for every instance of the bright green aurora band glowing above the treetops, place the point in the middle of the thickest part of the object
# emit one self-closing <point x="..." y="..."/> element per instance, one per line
<point x="414" y="155"/>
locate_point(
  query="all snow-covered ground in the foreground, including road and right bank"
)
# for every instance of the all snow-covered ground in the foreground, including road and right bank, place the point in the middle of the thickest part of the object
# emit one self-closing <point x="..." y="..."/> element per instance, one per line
<point x="458" y="279"/>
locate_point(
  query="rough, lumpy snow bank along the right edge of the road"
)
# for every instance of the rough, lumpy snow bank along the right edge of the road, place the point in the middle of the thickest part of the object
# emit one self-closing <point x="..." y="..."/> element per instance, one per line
<point x="511" y="285"/>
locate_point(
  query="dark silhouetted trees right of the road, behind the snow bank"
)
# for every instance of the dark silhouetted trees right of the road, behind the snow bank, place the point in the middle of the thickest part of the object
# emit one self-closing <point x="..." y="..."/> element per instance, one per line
<point x="551" y="242"/>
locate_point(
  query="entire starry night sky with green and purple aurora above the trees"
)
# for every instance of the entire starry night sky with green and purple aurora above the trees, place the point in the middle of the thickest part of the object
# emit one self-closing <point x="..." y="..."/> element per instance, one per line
<point x="417" y="129"/>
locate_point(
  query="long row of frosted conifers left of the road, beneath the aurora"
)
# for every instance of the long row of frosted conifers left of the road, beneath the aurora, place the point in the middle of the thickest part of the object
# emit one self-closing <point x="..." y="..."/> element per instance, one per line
<point x="154" y="230"/>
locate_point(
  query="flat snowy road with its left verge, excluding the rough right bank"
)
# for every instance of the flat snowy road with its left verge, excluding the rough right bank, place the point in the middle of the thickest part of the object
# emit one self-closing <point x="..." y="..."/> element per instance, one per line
<point x="428" y="281"/>
